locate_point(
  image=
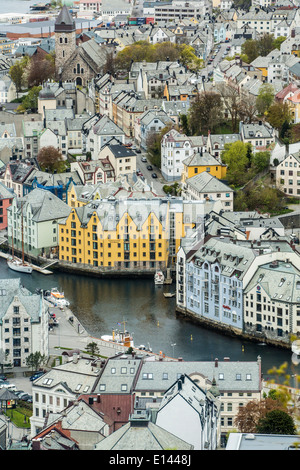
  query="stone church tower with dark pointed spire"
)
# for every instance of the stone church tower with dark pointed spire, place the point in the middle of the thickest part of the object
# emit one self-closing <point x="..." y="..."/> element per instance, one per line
<point x="65" y="39"/>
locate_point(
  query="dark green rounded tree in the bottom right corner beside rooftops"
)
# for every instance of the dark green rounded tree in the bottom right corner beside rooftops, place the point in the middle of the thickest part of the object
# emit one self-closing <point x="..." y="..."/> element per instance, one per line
<point x="276" y="422"/>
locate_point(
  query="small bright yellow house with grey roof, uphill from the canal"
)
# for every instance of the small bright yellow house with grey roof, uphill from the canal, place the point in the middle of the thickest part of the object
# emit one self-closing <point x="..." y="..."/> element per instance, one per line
<point x="198" y="163"/>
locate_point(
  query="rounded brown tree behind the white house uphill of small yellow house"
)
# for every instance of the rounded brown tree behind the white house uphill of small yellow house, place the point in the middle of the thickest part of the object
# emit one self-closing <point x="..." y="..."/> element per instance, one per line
<point x="205" y="112"/>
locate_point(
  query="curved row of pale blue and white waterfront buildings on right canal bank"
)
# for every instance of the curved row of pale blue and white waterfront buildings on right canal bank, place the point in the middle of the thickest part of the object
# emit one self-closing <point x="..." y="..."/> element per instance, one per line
<point x="220" y="283"/>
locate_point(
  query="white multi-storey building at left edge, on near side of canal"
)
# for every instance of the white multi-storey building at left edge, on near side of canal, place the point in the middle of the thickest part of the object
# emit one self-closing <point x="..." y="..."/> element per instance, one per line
<point x="23" y="325"/>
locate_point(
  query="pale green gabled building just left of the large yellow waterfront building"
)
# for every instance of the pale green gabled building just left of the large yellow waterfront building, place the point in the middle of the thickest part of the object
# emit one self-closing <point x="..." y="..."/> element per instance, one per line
<point x="33" y="222"/>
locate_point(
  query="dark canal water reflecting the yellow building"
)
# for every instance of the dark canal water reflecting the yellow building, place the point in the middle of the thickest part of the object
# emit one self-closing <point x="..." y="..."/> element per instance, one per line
<point x="100" y="304"/>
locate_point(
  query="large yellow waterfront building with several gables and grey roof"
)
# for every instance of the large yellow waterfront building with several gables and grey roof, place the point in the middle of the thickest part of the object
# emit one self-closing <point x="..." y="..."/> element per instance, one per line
<point x="126" y="234"/>
